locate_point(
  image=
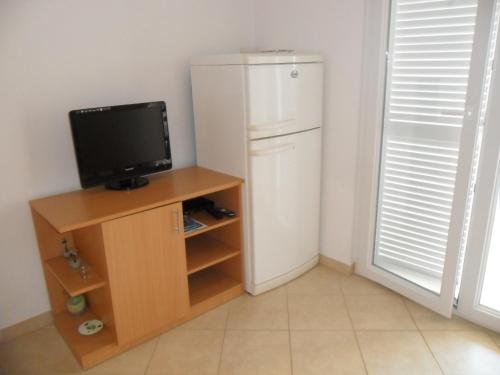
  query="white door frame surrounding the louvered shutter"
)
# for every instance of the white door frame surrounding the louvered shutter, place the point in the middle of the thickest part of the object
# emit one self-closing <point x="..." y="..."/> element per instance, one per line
<point x="372" y="107"/>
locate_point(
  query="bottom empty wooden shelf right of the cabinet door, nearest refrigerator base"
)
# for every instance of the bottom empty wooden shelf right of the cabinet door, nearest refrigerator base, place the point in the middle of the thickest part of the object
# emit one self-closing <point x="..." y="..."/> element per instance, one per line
<point x="209" y="283"/>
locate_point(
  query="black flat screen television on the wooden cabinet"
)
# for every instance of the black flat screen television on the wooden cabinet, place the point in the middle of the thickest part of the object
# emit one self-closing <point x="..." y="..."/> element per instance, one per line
<point x="116" y="146"/>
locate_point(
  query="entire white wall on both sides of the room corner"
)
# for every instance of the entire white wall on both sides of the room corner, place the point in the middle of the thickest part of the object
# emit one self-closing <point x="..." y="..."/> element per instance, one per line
<point x="64" y="54"/>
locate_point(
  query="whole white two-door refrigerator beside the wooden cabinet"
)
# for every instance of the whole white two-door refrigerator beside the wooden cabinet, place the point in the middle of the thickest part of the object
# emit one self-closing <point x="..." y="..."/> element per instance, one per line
<point x="259" y="116"/>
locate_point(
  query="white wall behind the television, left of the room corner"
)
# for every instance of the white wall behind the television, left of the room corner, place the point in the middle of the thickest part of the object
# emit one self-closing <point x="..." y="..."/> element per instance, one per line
<point x="65" y="54"/>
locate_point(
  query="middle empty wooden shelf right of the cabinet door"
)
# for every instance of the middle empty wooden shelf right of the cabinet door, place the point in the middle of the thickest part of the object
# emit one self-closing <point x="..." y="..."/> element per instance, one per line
<point x="205" y="251"/>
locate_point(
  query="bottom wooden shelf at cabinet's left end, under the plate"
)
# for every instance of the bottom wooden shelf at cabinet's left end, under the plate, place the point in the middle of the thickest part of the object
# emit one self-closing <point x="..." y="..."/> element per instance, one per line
<point x="80" y="344"/>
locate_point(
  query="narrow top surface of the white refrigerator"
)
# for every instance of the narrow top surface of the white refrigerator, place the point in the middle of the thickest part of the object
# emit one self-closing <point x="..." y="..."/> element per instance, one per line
<point x="256" y="58"/>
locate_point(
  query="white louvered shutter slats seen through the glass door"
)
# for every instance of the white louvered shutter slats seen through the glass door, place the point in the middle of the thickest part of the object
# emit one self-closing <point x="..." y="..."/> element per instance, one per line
<point x="427" y="82"/>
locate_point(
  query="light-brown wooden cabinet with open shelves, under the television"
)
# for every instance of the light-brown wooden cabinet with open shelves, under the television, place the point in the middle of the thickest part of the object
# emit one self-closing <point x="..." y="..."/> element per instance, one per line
<point x="146" y="275"/>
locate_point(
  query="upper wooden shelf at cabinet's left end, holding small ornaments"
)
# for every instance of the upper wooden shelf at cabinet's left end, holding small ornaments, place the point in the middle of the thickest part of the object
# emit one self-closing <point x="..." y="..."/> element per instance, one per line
<point x="70" y="278"/>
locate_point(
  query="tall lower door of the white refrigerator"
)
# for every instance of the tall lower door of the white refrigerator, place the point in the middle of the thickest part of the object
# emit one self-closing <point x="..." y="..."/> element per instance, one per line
<point x="284" y="179"/>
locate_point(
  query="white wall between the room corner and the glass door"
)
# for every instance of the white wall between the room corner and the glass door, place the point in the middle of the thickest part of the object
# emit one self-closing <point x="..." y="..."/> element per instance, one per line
<point x="334" y="28"/>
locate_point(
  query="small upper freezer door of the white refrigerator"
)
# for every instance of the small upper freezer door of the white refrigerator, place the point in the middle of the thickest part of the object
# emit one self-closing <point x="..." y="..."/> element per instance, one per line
<point x="284" y="98"/>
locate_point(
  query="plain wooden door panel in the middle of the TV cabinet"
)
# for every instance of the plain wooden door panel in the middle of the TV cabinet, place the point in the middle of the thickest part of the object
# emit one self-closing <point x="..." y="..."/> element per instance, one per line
<point x="147" y="270"/>
